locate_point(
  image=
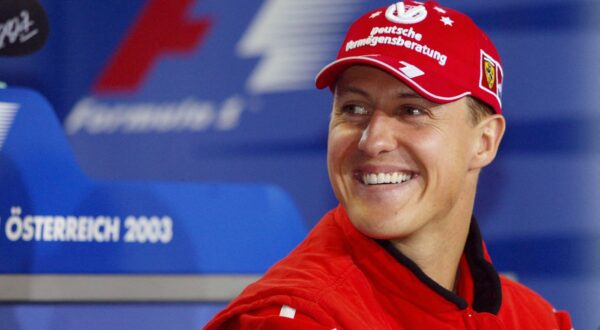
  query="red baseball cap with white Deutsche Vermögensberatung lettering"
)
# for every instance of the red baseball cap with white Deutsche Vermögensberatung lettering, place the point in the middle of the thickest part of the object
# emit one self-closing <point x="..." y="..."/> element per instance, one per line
<point x="437" y="51"/>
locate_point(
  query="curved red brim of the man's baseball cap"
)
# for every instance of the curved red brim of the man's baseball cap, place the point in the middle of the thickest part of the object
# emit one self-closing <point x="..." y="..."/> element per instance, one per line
<point x="330" y="73"/>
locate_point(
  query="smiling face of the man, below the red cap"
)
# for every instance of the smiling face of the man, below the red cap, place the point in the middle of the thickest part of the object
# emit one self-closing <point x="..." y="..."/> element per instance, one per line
<point x="397" y="162"/>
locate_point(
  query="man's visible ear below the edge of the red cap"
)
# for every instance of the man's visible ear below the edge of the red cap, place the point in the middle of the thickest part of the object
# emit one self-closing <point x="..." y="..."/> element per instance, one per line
<point x="489" y="132"/>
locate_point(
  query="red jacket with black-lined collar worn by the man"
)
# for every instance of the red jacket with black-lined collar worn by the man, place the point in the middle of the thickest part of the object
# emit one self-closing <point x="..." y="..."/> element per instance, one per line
<point x="340" y="279"/>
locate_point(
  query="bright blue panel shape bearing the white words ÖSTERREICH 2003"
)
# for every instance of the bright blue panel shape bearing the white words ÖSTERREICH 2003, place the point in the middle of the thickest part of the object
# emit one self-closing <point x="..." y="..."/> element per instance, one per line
<point x="217" y="228"/>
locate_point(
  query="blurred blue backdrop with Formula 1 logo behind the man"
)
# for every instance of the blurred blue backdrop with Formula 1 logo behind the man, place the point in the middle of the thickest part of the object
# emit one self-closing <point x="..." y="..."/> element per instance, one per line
<point x="222" y="92"/>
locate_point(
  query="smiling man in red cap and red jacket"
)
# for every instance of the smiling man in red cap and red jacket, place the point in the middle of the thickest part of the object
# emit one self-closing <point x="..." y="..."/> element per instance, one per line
<point x="416" y="115"/>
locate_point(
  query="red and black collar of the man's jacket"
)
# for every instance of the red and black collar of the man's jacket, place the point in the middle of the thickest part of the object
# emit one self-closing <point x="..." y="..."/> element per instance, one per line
<point x="478" y="283"/>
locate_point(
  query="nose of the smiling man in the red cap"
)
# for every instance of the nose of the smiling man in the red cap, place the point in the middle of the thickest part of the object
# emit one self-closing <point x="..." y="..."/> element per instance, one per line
<point x="379" y="135"/>
